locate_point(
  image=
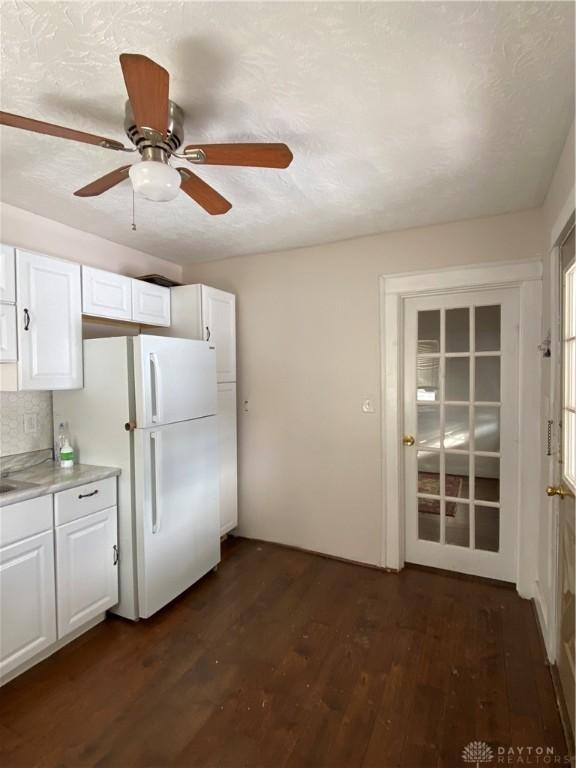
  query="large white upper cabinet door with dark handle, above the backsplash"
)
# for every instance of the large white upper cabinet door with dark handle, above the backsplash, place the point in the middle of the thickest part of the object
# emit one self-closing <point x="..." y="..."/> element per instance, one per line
<point x="49" y="322"/>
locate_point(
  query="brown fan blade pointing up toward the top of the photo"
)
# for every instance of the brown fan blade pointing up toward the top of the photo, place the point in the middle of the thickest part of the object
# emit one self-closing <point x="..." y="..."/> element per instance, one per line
<point x="147" y="85"/>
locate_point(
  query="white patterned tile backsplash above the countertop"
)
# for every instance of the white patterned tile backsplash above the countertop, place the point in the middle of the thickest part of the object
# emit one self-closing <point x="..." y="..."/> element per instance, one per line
<point x="25" y="422"/>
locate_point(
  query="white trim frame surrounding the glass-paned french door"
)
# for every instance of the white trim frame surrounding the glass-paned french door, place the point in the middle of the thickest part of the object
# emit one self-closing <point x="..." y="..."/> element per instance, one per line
<point x="394" y="289"/>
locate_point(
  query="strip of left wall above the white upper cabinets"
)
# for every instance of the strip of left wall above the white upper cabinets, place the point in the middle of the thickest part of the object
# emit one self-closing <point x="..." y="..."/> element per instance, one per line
<point x="36" y="233"/>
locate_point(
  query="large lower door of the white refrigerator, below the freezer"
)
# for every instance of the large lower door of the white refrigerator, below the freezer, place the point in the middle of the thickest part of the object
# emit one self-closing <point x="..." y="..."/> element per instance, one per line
<point x="178" y="536"/>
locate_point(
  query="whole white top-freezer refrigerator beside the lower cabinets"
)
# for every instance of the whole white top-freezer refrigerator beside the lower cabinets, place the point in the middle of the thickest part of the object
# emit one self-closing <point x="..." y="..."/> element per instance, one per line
<point x="149" y="406"/>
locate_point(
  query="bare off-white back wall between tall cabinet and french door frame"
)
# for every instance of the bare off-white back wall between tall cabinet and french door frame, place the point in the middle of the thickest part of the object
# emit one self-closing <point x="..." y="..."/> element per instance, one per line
<point x="308" y="319"/>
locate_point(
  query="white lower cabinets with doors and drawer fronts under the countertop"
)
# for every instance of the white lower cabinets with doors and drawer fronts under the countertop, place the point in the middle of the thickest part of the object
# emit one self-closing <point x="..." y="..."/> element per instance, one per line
<point x="58" y="571"/>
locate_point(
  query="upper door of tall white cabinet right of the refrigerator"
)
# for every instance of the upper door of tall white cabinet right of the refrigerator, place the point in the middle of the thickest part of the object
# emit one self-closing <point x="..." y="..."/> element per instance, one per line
<point x="219" y="321"/>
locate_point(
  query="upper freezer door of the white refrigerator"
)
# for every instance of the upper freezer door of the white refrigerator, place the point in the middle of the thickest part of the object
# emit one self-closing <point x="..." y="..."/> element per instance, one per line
<point x="175" y="380"/>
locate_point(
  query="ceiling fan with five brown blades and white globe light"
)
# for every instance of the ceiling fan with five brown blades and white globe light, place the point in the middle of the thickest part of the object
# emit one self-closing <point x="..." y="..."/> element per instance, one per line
<point x="154" y="125"/>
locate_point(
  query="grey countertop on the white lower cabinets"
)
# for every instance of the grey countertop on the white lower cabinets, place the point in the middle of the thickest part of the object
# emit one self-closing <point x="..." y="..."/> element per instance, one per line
<point x="48" y="477"/>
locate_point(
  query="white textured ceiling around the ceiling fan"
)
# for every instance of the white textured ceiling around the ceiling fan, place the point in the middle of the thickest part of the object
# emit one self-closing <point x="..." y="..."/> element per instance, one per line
<point x="398" y="114"/>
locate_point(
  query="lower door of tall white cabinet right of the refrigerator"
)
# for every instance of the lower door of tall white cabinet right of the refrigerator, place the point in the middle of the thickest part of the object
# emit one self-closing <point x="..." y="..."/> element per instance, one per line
<point x="228" y="465"/>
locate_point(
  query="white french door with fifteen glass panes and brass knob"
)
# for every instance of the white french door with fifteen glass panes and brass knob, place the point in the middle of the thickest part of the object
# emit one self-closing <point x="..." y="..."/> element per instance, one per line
<point x="461" y="431"/>
